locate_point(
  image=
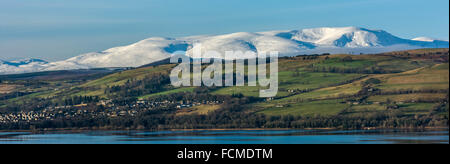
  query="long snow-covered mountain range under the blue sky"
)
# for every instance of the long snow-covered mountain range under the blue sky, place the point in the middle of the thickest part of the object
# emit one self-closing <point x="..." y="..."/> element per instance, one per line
<point x="295" y="42"/>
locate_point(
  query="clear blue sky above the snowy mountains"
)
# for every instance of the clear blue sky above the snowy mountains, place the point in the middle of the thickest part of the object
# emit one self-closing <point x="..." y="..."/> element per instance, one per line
<point x="56" y="30"/>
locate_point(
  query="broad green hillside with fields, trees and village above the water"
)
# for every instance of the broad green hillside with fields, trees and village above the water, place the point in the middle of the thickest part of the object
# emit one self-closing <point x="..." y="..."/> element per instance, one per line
<point x="392" y="89"/>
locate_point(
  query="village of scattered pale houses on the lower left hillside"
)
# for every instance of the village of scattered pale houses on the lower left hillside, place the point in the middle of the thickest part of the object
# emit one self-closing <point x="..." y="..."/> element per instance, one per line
<point x="109" y="109"/>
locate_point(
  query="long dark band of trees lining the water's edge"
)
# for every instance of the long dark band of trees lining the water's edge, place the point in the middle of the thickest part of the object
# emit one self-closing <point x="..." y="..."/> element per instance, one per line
<point x="232" y="117"/>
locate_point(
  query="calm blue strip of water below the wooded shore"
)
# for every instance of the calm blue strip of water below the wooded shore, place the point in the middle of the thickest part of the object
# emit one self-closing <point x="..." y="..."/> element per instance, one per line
<point x="230" y="137"/>
